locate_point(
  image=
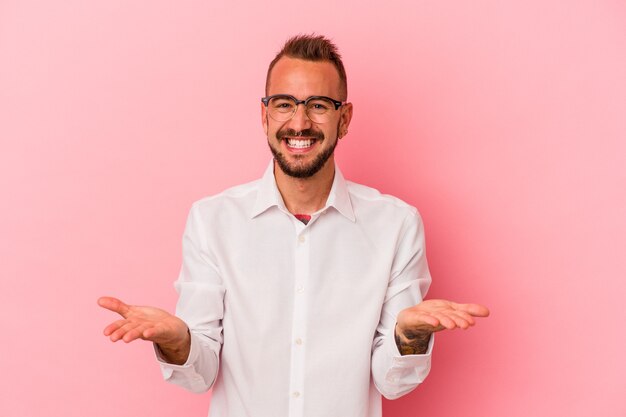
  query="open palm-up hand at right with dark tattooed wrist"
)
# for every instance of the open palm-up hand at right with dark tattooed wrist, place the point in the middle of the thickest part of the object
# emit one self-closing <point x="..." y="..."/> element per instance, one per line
<point x="416" y="324"/>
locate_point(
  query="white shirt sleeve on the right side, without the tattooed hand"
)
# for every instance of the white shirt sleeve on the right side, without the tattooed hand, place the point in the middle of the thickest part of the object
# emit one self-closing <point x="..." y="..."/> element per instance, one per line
<point x="395" y="375"/>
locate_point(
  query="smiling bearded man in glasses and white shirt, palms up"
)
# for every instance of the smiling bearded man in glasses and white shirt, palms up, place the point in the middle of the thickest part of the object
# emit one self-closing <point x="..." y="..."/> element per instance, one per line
<point x="301" y="294"/>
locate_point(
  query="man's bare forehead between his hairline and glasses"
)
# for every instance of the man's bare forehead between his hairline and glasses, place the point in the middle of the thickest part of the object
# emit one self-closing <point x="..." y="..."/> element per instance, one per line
<point x="302" y="78"/>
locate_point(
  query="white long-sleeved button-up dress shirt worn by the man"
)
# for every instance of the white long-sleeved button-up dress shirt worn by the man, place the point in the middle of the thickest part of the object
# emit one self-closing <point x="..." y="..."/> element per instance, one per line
<point x="297" y="320"/>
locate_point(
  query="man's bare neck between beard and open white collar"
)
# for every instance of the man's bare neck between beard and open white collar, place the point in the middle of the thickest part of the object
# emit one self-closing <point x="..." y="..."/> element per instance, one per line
<point x="306" y="195"/>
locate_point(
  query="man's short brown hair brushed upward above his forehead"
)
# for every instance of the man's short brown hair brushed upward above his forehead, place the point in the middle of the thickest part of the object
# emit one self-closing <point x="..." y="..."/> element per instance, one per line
<point x="312" y="48"/>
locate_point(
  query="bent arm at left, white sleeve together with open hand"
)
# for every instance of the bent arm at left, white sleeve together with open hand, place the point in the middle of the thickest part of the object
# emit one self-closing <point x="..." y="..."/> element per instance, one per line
<point x="188" y="345"/>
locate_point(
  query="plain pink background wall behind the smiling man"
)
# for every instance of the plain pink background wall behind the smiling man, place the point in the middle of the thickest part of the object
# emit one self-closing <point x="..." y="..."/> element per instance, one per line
<point x="503" y="122"/>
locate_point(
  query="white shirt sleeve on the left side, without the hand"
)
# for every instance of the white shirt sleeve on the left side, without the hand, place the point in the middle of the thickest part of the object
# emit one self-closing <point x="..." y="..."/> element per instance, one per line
<point x="201" y="307"/>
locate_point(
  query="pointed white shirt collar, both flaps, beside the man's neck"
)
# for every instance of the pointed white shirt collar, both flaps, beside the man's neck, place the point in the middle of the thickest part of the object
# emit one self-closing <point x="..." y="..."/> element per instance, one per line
<point x="269" y="196"/>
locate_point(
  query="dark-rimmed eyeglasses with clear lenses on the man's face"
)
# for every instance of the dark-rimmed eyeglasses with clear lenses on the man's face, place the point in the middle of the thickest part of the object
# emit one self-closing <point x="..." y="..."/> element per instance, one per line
<point x="282" y="107"/>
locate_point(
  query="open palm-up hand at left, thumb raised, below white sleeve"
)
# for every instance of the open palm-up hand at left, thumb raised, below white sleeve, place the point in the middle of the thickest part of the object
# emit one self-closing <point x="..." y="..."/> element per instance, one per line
<point x="170" y="333"/>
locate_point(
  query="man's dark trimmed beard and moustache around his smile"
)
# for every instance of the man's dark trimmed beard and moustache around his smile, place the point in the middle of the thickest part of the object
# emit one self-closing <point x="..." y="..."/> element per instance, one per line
<point x="300" y="170"/>
